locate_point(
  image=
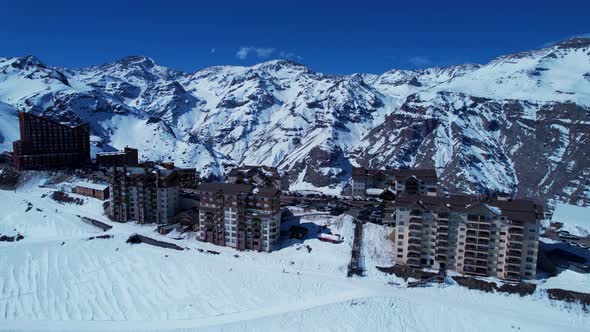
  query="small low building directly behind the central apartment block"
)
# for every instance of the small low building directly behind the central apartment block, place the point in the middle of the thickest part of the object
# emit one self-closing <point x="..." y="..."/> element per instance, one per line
<point x="259" y="176"/>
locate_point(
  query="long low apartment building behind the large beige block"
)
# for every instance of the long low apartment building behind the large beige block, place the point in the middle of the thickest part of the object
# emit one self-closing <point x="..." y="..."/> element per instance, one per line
<point x="408" y="181"/>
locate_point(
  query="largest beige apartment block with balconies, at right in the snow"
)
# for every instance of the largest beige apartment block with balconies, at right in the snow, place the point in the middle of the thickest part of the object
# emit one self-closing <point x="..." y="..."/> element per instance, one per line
<point x="479" y="236"/>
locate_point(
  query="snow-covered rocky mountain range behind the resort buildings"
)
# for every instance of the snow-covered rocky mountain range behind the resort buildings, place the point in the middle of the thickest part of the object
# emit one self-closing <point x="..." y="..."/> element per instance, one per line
<point x="520" y="123"/>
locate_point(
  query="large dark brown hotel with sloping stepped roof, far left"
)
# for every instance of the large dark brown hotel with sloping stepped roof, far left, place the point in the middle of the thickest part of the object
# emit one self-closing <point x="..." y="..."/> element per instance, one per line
<point x="45" y="143"/>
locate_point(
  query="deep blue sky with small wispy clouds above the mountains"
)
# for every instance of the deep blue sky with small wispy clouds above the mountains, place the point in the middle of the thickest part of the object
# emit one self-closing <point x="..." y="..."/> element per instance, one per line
<point x="329" y="36"/>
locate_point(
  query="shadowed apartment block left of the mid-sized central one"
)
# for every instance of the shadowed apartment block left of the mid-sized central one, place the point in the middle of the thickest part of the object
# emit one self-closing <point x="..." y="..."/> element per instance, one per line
<point x="145" y="195"/>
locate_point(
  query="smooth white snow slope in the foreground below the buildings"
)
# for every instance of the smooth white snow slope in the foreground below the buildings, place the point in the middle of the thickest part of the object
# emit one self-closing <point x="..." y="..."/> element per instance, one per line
<point x="55" y="279"/>
